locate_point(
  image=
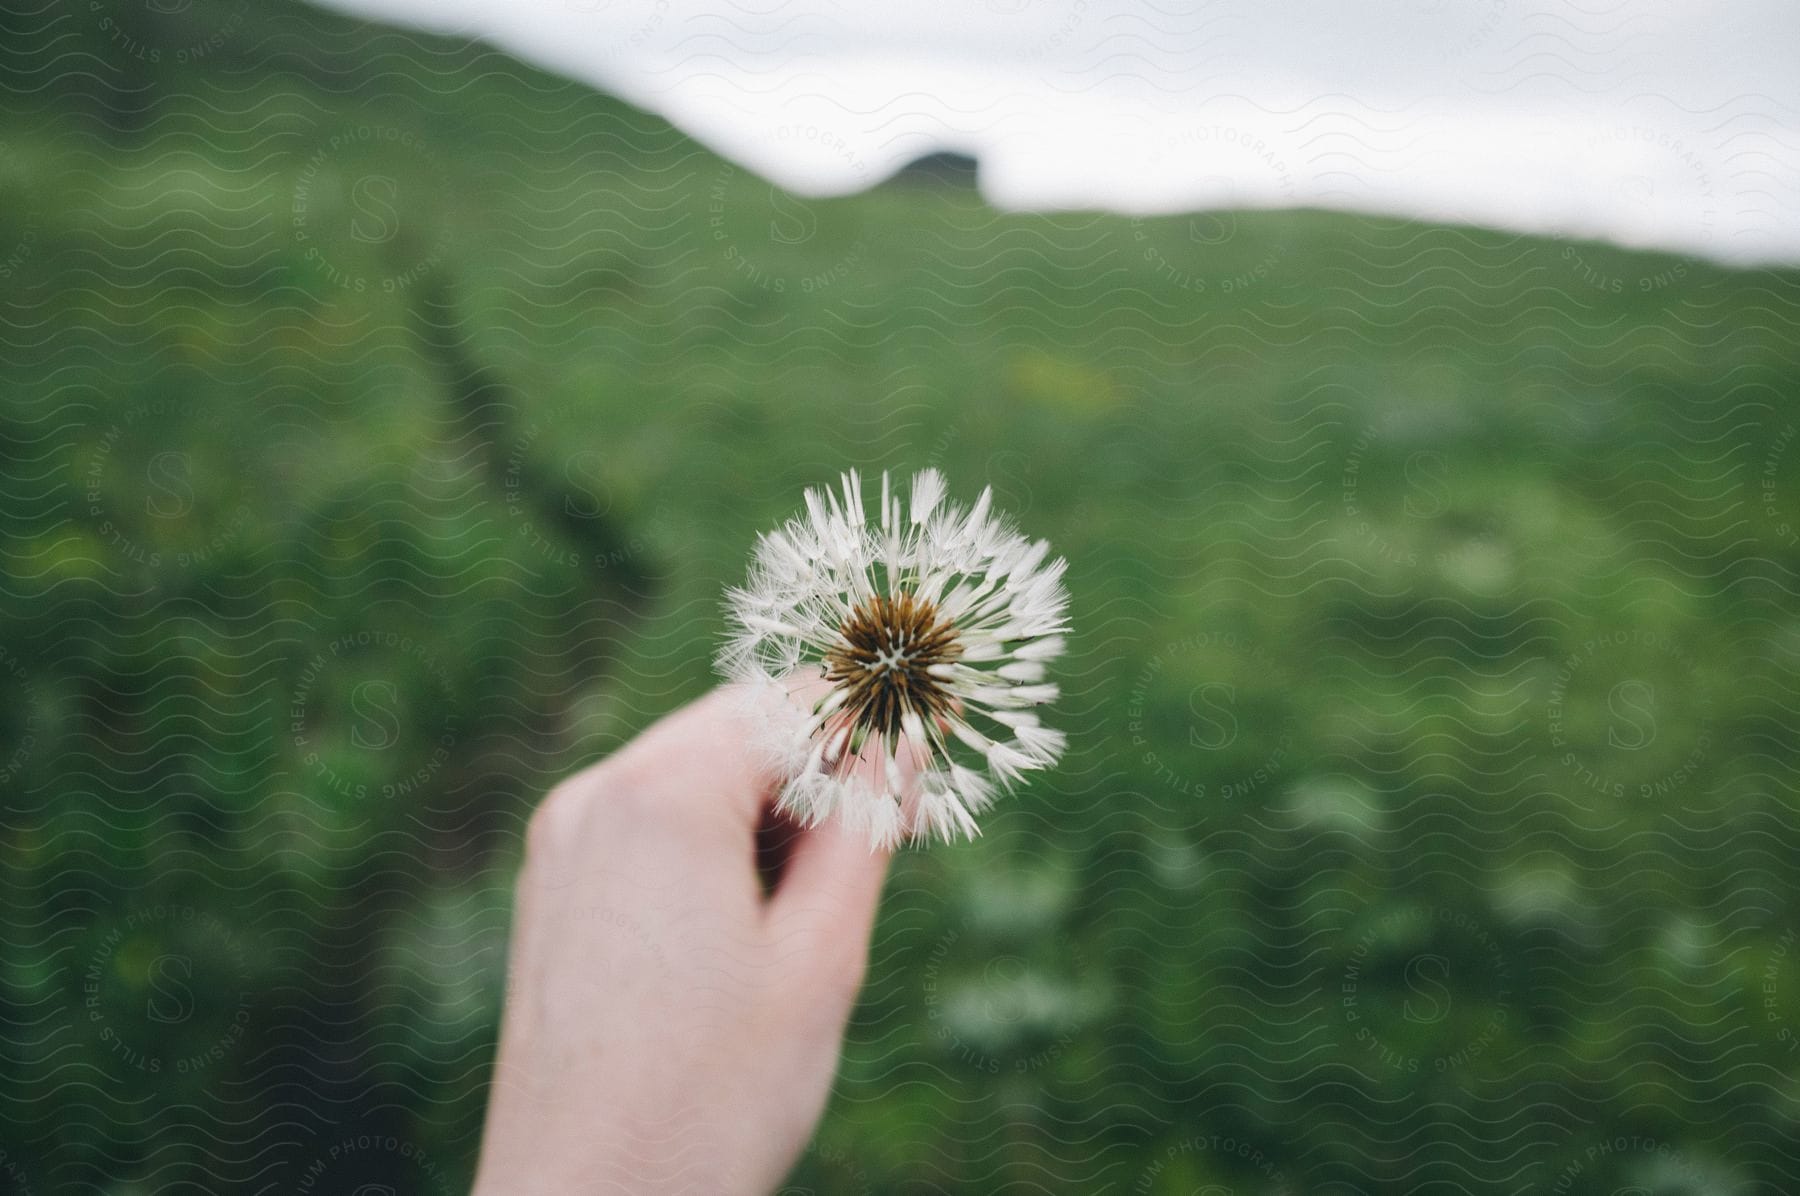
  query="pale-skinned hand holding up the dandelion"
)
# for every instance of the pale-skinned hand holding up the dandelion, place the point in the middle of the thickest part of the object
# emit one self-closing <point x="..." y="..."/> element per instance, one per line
<point x="669" y="1028"/>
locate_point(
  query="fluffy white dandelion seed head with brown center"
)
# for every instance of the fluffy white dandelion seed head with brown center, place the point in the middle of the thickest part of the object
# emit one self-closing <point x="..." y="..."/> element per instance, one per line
<point x="931" y="628"/>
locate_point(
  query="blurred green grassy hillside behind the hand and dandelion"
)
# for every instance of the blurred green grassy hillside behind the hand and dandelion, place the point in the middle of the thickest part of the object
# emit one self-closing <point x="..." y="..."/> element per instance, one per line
<point x="382" y="421"/>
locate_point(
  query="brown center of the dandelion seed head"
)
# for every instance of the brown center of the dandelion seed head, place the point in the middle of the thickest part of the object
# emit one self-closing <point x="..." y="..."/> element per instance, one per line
<point x="883" y="658"/>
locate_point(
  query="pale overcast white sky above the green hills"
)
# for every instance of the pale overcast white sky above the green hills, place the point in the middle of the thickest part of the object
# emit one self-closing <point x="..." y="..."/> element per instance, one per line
<point x="1659" y="123"/>
